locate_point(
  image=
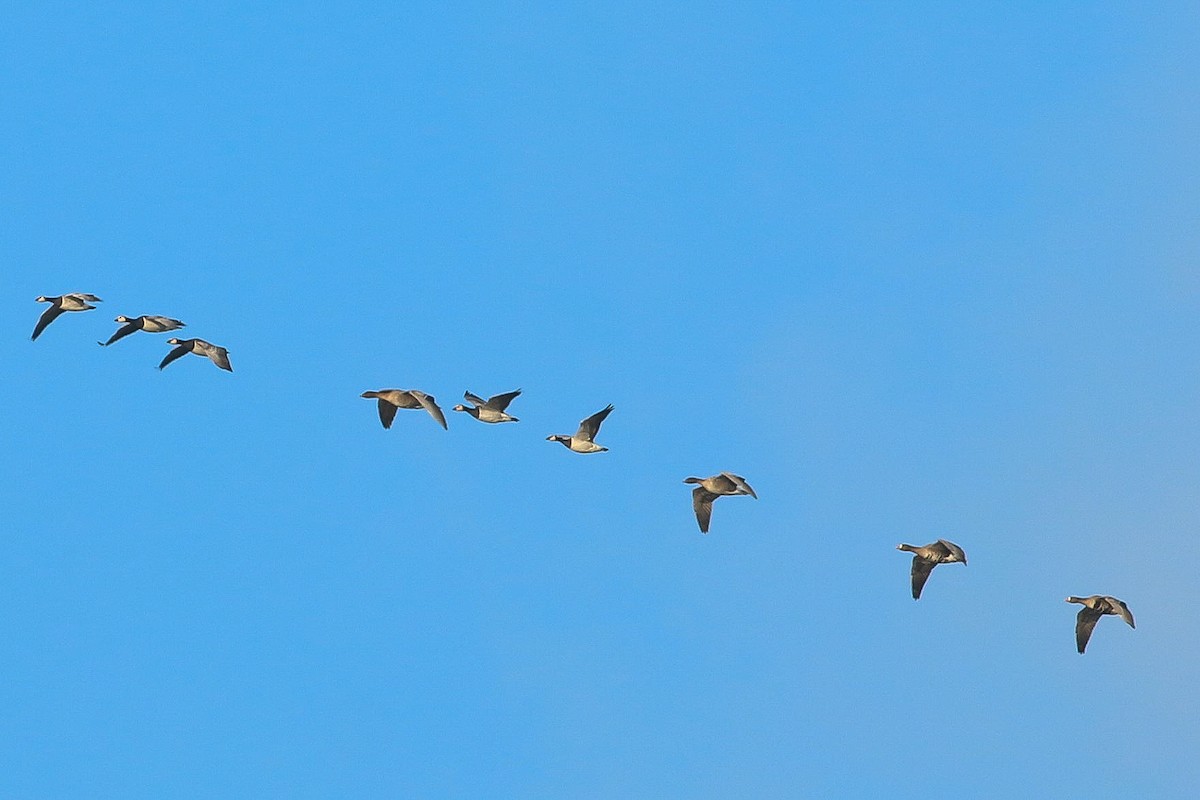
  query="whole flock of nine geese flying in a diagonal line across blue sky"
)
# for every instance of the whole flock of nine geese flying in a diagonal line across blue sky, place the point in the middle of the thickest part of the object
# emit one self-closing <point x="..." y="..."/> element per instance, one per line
<point x="494" y="411"/>
